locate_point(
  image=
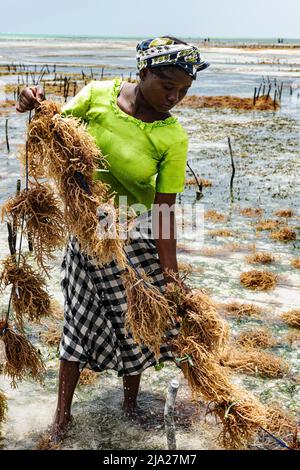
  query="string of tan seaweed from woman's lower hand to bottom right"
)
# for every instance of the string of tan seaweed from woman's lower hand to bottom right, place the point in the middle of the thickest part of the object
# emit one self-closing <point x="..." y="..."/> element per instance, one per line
<point x="199" y="344"/>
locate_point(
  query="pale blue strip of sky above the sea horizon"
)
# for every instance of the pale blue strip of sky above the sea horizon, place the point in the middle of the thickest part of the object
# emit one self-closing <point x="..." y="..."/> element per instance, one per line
<point x="137" y="18"/>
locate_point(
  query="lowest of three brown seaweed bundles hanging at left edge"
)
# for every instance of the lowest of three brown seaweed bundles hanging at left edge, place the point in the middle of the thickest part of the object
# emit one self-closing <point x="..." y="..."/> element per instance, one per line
<point x="22" y="358"/>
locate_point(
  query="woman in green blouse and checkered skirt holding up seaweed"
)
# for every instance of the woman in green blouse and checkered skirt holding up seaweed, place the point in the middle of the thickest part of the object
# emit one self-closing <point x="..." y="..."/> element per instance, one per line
<point x="146" y="149"/>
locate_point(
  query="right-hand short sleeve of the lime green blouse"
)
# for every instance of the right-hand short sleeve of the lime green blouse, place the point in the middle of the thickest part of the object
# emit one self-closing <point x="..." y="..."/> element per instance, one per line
<point x="172" y="168"/>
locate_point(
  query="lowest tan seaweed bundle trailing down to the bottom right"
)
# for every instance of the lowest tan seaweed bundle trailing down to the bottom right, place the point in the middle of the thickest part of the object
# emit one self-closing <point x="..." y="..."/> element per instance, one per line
<point x="240" y="413"/>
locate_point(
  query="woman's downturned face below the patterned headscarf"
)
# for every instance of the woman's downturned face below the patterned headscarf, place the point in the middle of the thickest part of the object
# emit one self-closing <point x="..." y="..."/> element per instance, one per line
<point x="165" y="90"/>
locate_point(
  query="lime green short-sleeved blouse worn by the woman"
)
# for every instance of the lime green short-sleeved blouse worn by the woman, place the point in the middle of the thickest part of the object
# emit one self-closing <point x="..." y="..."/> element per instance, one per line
<point x="142" y="157"/>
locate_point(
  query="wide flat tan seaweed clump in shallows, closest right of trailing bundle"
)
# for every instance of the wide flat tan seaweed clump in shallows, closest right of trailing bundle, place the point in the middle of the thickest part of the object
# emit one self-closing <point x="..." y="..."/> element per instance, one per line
<point x="252" y="362"/>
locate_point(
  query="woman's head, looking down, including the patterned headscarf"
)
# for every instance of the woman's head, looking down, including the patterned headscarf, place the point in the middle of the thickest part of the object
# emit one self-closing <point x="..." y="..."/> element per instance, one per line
<point x="167" y="68"/>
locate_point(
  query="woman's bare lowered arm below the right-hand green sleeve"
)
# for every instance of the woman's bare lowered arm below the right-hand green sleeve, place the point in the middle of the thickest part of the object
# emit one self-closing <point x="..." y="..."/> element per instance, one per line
<point x="164" y="230"/>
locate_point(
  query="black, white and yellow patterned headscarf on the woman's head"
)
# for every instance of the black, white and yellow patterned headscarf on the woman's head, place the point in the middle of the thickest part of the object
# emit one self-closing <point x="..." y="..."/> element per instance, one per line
<point x="164" y="51"/>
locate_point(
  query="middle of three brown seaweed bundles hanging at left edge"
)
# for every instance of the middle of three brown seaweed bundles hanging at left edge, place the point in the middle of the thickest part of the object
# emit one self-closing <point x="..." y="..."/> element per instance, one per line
<point x="29" y="295"/>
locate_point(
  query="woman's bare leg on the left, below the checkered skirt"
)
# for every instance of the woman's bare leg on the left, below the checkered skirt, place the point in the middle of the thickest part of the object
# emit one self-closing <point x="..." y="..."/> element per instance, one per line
<point x="68" y="378"/>
